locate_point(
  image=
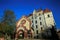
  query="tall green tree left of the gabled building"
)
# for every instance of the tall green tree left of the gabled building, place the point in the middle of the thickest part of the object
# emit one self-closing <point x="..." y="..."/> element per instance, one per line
<point x="8" y="22"/>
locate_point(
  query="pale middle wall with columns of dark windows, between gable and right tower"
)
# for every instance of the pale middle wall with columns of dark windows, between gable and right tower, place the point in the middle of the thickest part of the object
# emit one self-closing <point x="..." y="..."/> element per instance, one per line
<point x="38" y="22"/>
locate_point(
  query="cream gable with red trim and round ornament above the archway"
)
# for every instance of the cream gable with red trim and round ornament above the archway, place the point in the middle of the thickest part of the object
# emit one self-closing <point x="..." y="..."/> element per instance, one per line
<point x="24" y="22"/>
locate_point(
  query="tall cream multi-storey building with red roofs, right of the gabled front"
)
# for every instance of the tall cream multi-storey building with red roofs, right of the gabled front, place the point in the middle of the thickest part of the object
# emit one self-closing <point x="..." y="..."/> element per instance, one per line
<point x="41" y="19"/>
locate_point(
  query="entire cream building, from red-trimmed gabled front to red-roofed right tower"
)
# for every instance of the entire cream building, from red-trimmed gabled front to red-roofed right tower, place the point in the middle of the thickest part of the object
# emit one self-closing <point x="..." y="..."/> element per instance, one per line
<point x="39" y="20"/>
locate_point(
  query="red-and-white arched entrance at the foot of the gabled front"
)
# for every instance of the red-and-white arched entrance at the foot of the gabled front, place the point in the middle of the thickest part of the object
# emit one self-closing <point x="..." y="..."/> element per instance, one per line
<point x="22" y="32"/>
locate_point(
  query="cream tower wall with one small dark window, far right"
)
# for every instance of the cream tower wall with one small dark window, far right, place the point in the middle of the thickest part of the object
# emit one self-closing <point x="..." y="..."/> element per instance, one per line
<point x="49" y="19"/>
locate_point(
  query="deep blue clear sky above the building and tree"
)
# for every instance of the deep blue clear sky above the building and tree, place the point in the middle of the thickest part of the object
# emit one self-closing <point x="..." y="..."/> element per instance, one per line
<point x="25" y="7"/>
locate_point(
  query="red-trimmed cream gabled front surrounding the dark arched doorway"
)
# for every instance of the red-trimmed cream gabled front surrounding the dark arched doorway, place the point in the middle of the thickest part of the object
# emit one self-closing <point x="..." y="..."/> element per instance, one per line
<point x="23" y="26"/>
